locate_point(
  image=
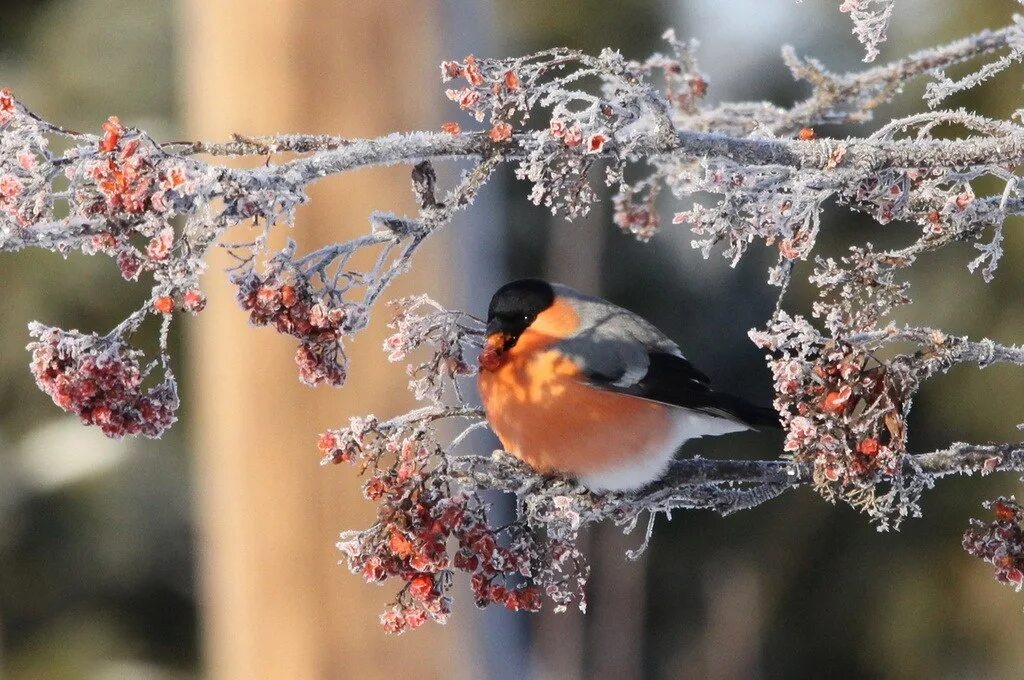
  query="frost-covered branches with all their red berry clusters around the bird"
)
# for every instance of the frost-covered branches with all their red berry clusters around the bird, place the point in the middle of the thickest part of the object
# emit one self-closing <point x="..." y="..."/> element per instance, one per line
<point x="741" y="174"/>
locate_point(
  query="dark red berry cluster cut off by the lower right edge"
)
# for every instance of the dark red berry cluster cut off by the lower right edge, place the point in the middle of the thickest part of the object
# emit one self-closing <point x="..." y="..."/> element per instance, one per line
<point x="1000" y="542"/>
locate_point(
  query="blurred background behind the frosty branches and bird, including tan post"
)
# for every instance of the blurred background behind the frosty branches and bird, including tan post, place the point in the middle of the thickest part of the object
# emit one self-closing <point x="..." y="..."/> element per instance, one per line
<point x="210" y="554"/>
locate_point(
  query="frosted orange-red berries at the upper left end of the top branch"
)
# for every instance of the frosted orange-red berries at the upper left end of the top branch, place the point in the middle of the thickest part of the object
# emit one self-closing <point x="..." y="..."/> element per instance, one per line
<point x="124" y="179"/>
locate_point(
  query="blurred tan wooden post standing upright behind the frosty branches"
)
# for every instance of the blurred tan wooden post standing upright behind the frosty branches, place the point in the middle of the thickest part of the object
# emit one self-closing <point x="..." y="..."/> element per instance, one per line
<point x="275" y="602"/>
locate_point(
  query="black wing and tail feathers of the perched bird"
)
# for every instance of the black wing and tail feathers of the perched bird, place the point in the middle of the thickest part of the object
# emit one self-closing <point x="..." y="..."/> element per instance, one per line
<point x="674" y="380"/>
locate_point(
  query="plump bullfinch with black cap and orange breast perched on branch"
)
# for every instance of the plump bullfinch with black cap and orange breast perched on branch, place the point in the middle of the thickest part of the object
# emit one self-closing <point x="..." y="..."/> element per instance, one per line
<point x="577" y="387"/>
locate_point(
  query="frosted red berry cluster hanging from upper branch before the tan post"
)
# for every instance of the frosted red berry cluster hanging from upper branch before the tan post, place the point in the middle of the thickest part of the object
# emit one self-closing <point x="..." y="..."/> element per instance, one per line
<point x="285" y="300"/>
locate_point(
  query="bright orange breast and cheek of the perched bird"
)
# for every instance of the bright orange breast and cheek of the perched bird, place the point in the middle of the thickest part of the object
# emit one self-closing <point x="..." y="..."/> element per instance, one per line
<point x="544" y="414"/>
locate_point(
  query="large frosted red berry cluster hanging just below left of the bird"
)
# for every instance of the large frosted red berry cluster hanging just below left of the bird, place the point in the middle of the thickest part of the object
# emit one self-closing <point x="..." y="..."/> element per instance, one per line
<point x="418" y="518"/>
